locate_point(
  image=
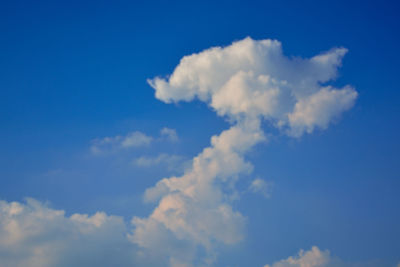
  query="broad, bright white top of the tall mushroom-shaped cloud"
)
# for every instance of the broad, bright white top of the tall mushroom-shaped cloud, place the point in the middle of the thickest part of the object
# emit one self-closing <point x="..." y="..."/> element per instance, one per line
<point x="254" y="78"/>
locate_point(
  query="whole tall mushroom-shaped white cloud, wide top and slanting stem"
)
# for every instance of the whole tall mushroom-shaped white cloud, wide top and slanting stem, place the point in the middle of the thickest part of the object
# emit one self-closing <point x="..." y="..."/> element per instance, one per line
<point x="246" y="82"/>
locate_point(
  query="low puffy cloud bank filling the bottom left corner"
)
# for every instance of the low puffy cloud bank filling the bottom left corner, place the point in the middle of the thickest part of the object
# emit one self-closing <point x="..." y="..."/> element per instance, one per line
<point x="33" y="234"/>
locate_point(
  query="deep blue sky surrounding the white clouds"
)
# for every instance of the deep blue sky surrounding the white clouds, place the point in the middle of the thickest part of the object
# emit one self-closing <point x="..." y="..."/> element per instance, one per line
<point x="73" y="73"/>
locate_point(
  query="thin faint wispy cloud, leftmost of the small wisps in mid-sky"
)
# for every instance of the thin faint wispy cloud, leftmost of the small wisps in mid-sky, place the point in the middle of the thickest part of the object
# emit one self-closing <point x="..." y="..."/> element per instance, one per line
<point x="131" y="140"/>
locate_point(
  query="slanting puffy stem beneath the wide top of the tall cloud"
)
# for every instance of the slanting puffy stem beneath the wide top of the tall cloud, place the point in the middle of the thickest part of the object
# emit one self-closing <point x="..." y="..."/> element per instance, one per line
<point x="193" y="208"/>
